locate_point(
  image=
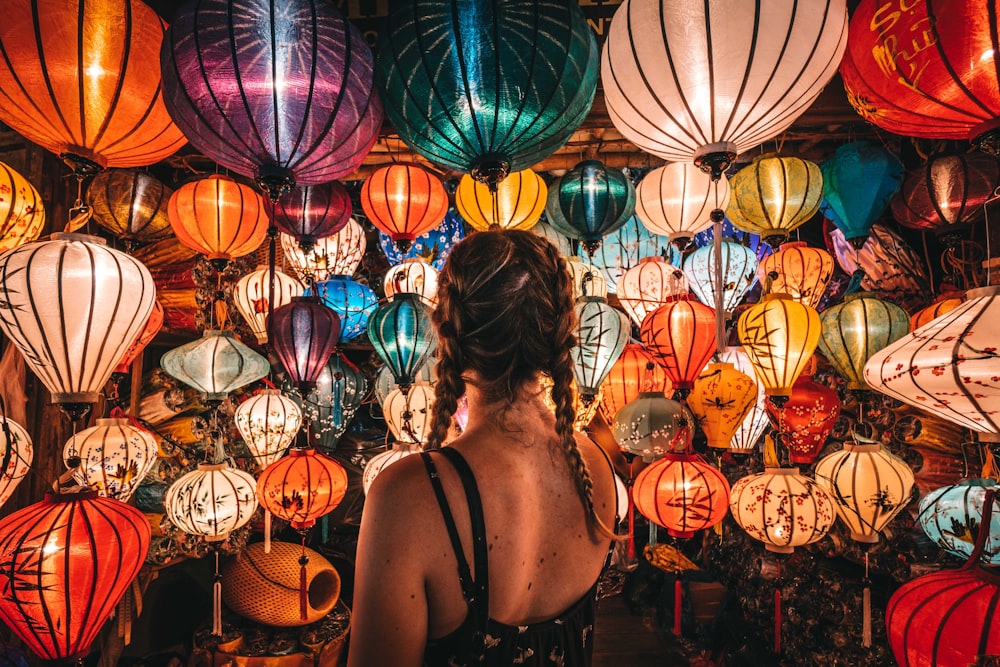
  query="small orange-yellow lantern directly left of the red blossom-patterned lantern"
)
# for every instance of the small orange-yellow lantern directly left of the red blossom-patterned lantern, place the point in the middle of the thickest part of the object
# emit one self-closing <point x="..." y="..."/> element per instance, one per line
<point x="721" y="399"/>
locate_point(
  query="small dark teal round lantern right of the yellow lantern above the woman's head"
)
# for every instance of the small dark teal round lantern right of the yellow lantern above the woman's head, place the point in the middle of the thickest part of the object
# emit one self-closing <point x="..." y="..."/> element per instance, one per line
<point x="589" y="202"/>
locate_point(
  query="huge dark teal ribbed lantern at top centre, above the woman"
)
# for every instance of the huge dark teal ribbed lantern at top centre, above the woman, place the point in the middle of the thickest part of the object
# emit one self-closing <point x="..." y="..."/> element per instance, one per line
<point x="486" y="87"/>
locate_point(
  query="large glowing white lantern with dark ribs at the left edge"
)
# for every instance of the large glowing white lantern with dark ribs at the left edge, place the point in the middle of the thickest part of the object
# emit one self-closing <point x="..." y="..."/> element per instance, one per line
<point x="73" y="307"/>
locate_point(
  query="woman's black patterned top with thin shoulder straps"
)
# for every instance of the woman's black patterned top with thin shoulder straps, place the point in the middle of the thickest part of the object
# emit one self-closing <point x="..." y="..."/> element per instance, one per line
<point x="564" y="640"/>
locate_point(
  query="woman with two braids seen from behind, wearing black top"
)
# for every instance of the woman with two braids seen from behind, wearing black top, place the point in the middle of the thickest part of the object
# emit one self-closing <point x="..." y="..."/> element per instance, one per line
<point x="521" y="587"/>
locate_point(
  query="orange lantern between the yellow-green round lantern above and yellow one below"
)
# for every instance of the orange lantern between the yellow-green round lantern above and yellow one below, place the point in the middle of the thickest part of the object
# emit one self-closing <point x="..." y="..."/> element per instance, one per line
<point x="797" y="270"/>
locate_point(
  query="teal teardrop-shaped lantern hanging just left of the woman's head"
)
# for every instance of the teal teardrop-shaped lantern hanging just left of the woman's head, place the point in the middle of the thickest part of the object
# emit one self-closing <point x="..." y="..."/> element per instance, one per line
<point x="401" y="332"/>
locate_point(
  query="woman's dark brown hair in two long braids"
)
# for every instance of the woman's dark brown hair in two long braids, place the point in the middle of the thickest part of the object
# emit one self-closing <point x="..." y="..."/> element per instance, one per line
<point x="505" y="311"/>
